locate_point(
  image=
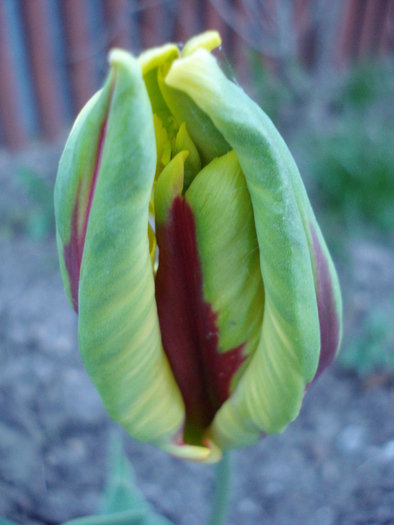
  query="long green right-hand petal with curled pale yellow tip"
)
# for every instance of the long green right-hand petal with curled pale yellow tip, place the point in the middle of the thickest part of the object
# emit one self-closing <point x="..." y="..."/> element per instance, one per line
<point x="270" y="393"/>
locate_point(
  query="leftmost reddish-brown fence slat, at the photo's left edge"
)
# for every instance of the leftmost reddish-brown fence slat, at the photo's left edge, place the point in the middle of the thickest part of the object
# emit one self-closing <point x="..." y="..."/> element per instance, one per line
<point x="10" y="116"/>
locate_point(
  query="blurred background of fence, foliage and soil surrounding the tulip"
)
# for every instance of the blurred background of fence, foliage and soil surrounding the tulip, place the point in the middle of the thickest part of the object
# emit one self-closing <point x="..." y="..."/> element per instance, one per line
<point x="323" y="70"/>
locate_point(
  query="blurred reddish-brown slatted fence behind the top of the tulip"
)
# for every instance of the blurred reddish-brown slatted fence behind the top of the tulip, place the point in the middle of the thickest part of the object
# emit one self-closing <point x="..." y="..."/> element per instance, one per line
<point x="52" y="52"/>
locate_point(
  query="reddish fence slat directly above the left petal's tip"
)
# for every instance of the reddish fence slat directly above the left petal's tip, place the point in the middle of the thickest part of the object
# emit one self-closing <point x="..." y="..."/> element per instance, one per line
<point x="117" y="18"/>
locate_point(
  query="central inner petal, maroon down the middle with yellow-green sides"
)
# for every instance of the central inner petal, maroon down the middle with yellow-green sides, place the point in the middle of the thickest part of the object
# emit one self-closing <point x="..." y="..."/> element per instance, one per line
<point x="204" y="363"/>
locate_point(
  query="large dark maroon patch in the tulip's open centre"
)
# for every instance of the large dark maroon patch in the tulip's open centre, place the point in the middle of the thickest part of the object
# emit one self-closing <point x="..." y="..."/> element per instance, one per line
<point x="188" y="324"/>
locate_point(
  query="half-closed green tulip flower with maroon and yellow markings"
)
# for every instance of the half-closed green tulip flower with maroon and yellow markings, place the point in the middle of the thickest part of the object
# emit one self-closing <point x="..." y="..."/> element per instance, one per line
<point x="206" y="296"/>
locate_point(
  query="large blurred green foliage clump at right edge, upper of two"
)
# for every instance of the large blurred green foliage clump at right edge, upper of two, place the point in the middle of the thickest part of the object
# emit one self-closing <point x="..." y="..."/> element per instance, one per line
<point x="352" y="158"/>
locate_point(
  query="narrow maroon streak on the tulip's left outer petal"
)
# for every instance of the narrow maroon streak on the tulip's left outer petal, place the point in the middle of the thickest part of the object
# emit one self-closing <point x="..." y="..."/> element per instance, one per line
<point x="73" y="251"/>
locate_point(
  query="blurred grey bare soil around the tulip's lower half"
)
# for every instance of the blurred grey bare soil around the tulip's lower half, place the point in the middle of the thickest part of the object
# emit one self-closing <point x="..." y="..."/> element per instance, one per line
<point x="333" y="466"/>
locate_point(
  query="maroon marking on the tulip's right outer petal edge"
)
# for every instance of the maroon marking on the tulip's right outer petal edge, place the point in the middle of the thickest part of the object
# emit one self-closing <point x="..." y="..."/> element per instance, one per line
<point x="328" y="316"/>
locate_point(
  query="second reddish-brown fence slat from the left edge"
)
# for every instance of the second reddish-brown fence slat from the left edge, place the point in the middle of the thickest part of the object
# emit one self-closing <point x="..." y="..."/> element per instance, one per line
<point x="42" y="66"/>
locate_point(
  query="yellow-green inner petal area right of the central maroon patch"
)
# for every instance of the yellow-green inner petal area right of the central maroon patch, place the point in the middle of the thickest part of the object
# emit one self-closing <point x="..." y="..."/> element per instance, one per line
<point x="229" y="253"/>
